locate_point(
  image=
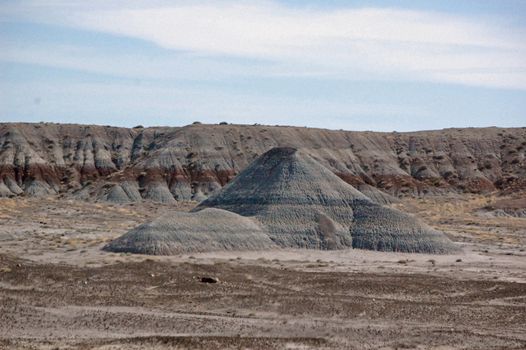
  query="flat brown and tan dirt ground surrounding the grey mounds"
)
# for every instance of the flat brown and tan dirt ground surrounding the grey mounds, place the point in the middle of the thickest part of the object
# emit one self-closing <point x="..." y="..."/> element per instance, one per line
<point x="58" y="290"/>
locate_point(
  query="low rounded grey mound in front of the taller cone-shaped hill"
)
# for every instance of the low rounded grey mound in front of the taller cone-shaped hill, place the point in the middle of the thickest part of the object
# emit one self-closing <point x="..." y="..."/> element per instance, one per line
<point x="180" y="232"/>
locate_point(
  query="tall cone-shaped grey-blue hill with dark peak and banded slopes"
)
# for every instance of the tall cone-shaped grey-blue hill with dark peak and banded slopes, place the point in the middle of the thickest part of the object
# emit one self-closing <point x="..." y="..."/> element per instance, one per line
<point x="302" y="204"/>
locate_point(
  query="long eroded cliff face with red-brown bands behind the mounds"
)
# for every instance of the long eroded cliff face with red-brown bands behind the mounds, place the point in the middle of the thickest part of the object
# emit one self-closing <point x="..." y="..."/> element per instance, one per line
<point x="168" y="164"/>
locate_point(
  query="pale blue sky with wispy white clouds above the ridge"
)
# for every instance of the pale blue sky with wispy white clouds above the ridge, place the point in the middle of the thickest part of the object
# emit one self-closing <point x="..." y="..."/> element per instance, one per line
<point x="356" y="65"/>
